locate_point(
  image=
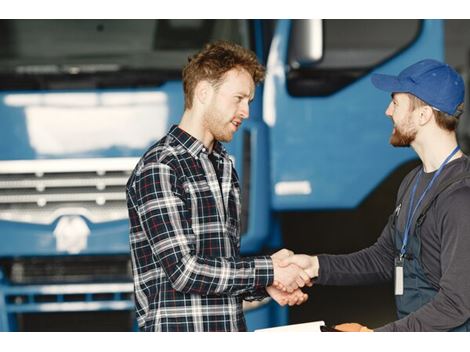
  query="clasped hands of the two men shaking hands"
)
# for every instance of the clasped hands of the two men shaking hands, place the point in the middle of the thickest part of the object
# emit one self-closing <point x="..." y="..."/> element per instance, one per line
<point x="291" y="273"/>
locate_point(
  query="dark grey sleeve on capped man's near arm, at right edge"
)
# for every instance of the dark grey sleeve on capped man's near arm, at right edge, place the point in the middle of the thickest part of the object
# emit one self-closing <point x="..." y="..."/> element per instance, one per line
<point x="450" y="307"/>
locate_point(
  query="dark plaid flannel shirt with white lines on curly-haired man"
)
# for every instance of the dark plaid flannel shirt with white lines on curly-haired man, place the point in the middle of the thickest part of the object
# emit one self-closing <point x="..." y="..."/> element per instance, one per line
<point x="185" y="240"/>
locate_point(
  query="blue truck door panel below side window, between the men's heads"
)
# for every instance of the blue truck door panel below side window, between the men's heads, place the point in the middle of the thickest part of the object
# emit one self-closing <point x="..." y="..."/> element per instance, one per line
<point x="331" y="152"/>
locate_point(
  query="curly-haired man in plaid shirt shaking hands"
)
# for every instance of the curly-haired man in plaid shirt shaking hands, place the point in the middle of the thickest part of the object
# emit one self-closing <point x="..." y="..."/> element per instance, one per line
<point x="184" y="207"/>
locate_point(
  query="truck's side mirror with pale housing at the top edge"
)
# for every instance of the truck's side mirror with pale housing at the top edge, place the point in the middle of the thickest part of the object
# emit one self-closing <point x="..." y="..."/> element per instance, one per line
<point x="306" y="43"/>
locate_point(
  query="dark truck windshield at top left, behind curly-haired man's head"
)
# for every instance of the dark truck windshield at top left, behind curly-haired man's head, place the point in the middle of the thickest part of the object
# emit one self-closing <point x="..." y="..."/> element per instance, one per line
<point x="47" y="48"/>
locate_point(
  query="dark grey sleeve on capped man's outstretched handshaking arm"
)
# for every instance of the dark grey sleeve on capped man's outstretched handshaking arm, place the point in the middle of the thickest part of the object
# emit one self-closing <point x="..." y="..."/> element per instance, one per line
<point x="367" y="266"/>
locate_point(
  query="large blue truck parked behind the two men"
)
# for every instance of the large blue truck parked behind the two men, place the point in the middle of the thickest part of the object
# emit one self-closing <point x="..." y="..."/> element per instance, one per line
<point x="81" y="100"/>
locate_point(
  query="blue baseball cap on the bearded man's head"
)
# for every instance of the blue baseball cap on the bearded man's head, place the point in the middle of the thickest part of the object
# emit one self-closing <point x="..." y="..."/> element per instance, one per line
<point x="434" y="82"/>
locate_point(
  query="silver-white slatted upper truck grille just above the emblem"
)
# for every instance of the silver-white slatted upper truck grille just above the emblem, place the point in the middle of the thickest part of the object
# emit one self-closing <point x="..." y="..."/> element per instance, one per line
<point x="39" y="191"/>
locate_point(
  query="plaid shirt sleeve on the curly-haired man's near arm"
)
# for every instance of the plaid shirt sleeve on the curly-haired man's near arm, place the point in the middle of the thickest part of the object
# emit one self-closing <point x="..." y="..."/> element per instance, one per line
<point x="164" y="218"/>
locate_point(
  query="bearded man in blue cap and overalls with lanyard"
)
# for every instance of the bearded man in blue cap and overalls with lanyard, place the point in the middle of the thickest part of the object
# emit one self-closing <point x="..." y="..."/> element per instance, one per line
<point x="425" y="245"/>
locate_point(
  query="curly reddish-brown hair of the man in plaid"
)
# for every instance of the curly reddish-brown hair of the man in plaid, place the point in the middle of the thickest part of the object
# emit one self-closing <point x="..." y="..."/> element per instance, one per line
<point x="213" y="61"/>
